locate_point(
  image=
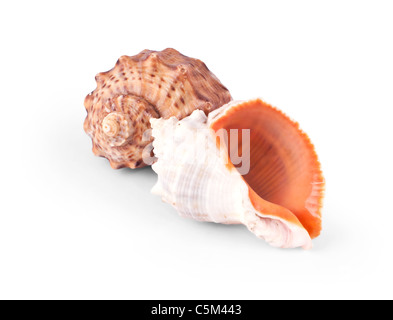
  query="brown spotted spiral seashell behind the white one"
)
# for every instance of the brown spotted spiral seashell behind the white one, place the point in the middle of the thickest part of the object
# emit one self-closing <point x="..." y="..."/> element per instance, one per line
<point x="151" y="84"/>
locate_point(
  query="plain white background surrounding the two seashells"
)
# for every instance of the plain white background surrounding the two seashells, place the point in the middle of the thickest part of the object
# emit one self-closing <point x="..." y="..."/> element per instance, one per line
<point x="73" y="228"/>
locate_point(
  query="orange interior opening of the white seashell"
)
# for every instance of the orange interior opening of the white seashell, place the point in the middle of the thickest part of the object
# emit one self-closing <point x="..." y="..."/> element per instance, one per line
<point x="284" y="169"/>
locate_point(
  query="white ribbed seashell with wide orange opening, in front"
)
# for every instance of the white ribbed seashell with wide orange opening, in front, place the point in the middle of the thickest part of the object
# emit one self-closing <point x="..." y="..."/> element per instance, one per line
<point x="278" y="197"/>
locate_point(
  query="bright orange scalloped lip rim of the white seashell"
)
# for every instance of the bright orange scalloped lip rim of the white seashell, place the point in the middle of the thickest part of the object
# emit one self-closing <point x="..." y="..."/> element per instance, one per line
<point x="310" y="217"/>
